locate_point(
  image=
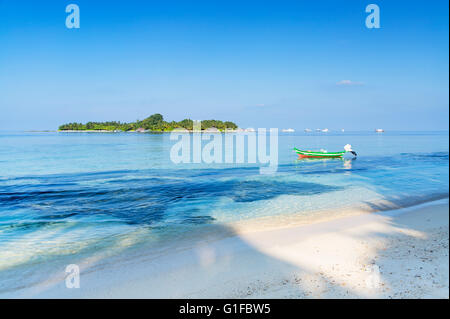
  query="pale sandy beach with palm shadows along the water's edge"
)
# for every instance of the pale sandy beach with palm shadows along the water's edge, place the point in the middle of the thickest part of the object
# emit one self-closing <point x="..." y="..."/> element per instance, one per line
<point x="401" y="254"/>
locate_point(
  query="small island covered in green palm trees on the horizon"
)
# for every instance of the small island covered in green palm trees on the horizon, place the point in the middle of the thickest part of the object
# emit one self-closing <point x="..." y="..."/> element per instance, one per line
<point x="153" y="123"/>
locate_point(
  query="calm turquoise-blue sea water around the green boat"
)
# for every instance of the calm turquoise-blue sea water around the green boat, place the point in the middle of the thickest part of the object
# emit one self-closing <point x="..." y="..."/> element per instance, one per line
<point x="63" y="194"/>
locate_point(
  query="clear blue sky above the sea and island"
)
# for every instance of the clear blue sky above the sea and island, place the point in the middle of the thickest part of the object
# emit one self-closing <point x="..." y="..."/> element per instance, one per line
<point x="259" y="63"/>
